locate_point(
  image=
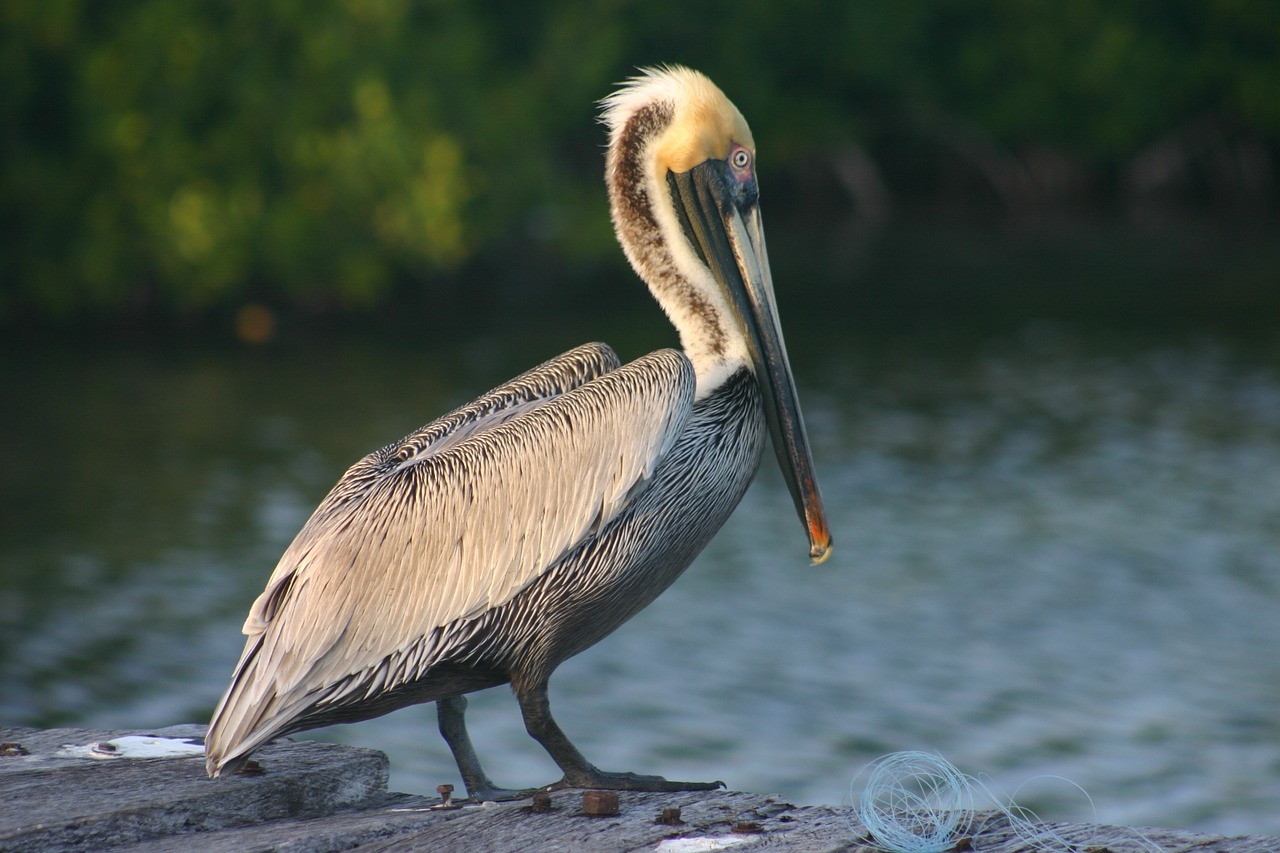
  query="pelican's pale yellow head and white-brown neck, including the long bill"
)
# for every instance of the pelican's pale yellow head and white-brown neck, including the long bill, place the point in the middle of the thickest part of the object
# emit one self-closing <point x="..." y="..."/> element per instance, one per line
<point x="685" y="204"/>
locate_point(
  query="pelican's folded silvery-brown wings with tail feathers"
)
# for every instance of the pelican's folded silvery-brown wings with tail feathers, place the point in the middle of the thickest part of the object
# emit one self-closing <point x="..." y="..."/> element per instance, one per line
<point x="452" y="522"/>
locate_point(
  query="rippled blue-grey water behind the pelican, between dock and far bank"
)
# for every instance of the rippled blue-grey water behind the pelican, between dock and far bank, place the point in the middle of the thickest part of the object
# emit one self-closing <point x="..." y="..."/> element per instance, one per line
<point x="1057" y="555"/>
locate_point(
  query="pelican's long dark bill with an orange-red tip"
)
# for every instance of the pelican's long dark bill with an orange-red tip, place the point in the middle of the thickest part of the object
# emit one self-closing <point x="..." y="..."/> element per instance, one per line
<point x="724" y="220"/>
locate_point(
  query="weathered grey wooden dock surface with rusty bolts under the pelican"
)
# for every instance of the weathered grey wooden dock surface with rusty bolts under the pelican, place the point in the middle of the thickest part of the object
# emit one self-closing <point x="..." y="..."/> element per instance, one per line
<point x="322" y="797"/>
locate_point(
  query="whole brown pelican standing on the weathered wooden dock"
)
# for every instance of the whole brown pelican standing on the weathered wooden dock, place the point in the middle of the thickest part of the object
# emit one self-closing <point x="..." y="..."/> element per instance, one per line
<point x="523" y="528"/>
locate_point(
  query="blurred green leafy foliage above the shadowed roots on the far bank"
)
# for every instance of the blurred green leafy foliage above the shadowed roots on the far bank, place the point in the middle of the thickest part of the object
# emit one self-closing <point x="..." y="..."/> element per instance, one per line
<point x="180" y="157"/>
